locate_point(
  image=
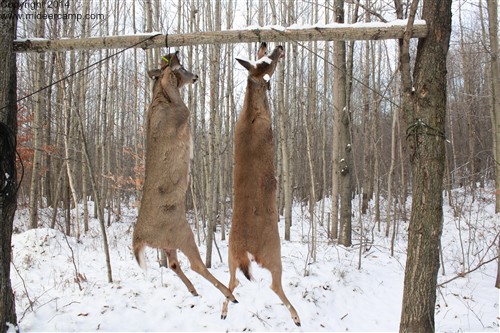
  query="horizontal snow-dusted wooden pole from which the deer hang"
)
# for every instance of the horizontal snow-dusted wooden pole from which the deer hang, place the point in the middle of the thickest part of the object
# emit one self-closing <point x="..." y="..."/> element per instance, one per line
<point x="360" y="31"/>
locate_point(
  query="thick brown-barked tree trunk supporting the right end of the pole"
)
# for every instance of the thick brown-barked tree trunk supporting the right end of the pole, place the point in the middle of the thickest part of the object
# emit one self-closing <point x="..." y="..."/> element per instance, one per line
<point x="426" y="141"/>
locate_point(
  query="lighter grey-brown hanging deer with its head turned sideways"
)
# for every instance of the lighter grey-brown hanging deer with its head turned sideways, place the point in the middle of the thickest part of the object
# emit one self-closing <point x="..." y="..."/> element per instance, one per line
<point x="162" y="220"/>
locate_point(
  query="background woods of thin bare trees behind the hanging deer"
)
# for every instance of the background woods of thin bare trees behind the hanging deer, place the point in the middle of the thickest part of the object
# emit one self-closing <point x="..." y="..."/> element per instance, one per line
<point x="81" y="139"/>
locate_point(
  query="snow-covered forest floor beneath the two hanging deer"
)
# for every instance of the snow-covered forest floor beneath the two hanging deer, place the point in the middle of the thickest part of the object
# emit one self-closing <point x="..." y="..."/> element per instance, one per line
<point x="334" y="295"/>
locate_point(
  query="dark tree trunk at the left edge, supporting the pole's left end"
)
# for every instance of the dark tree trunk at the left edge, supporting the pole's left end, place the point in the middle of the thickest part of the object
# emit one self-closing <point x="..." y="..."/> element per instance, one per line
<point x="8" y="186"/>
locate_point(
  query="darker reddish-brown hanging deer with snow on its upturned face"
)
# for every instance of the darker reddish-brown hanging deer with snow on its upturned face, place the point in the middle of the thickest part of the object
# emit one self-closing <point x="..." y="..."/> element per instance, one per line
<point x="254" y="230"/>
